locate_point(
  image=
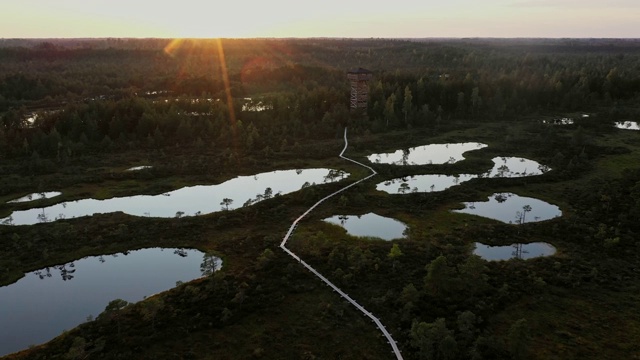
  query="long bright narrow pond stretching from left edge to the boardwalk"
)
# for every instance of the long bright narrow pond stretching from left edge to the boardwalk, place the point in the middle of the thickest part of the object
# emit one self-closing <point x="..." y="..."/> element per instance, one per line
<point x="187" y="201"/>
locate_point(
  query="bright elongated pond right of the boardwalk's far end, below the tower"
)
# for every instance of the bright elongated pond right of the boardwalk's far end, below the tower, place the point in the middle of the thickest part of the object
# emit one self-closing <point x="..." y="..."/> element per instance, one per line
<point x="427" y="154"/>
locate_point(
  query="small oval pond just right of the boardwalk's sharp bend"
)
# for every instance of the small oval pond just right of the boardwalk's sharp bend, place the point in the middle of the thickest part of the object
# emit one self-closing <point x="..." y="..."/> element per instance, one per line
<point x="370" y="225"/>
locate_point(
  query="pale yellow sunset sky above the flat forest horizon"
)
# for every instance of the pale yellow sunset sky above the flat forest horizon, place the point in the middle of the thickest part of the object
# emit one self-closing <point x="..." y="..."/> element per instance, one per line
<point x="320" y="18"/>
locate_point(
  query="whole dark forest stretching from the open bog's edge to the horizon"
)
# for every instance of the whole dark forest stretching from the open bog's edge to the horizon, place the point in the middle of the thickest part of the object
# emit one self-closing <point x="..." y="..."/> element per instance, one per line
<point x="127" y="96"/>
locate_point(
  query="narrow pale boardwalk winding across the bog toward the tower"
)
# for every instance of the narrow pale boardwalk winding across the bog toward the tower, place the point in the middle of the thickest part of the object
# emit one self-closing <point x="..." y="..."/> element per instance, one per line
<point x="326" y="281"/>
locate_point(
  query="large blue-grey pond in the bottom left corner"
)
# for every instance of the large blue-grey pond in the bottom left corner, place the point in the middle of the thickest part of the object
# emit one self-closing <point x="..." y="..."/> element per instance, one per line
<point x="42" y="304"/>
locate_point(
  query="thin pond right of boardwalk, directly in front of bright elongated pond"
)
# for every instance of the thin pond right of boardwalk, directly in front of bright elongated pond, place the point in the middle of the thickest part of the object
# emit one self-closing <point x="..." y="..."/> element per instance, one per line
<point x="422" y="183"/>
